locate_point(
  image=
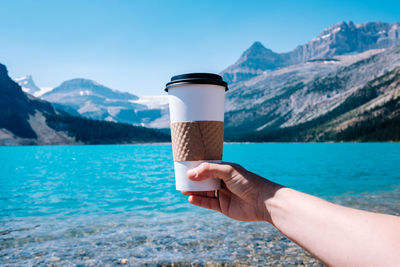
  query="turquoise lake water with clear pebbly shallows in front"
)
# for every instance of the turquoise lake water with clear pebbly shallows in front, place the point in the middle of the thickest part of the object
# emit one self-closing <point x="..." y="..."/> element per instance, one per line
<point x="96" y="205"/>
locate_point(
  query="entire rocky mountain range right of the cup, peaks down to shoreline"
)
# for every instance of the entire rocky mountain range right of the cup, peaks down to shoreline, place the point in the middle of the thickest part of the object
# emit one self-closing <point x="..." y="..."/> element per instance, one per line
<point x="342" y="85"/>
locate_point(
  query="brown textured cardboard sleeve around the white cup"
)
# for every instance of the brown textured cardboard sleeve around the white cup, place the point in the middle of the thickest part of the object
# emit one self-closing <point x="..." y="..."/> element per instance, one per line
<point x="197" y="140"/>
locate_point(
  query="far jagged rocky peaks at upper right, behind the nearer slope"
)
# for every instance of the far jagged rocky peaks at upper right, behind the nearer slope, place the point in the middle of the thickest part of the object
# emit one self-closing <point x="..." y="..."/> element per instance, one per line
<point x="340" y="39"/>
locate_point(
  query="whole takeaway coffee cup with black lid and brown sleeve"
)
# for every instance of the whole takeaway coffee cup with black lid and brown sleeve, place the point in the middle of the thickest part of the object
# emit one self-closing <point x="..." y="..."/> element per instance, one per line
<point x="196" y="105"/>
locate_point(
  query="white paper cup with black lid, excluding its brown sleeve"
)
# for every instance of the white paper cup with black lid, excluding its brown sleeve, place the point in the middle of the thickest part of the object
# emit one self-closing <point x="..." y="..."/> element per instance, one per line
<point x="192" y="98"/>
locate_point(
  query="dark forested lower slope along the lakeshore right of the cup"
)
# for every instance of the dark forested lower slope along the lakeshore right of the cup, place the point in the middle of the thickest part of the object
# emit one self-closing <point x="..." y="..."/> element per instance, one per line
<point x="371" y="113"/>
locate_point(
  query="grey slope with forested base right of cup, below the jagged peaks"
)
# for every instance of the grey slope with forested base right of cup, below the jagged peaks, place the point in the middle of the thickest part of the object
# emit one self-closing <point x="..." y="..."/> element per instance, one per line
<point x="318" y="100"/>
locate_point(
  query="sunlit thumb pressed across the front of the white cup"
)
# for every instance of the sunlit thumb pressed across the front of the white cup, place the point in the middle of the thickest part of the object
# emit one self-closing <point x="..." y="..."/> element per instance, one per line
<point x="211" y="170"/>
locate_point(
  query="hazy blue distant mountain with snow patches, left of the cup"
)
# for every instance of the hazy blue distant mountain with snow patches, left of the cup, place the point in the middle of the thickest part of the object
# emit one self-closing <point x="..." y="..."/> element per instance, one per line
<point x="93" y="100"/>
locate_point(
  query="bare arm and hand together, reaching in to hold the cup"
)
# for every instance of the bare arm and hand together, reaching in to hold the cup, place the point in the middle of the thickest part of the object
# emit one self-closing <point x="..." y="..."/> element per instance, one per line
<point x="336" y="235"/>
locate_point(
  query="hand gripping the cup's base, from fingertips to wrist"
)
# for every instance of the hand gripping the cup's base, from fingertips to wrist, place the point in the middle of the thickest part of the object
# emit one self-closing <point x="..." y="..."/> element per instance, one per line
<point x="242" y="195"/>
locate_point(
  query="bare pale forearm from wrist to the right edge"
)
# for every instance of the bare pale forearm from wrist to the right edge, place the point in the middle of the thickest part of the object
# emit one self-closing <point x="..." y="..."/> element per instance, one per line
<point x="336" y="235"/>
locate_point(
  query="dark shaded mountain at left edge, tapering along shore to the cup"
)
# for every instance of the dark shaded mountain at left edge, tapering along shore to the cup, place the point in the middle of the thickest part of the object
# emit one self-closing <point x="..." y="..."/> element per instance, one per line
<point x="27" y="120"/>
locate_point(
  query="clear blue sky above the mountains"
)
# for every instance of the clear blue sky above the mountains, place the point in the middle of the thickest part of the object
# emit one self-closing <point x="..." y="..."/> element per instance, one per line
<point x="136" y="46"/>
